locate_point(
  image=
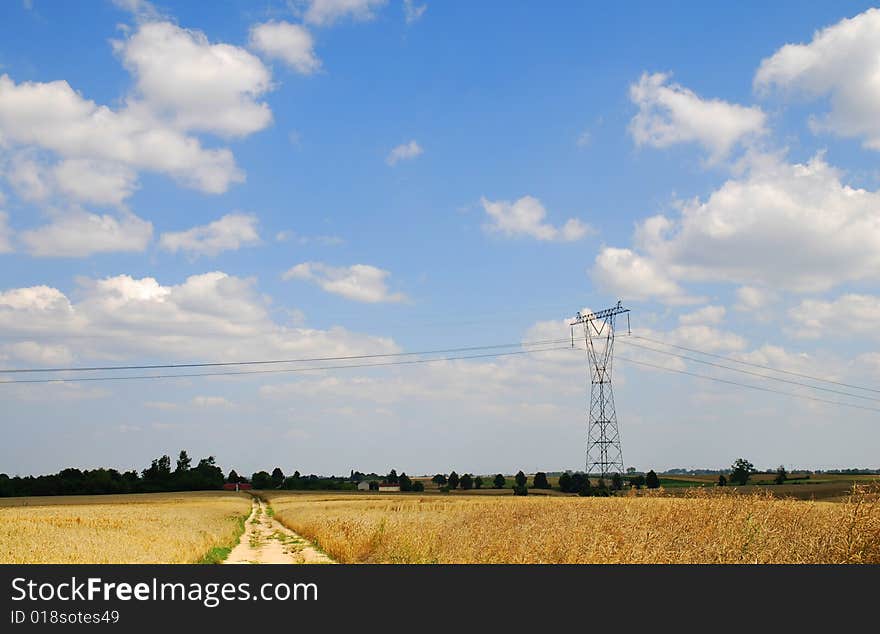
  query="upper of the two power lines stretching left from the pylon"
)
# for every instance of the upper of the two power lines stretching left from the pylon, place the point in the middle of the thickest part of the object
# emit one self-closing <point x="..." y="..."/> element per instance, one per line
<point x="168" y="366"/>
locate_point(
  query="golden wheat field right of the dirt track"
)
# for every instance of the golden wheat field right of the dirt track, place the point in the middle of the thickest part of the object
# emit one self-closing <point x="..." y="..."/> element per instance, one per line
<point x="702" y="527"/>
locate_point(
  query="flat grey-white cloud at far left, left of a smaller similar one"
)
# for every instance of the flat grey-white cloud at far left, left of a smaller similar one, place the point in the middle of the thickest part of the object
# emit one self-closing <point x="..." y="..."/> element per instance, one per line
<point x="80" y="233"/>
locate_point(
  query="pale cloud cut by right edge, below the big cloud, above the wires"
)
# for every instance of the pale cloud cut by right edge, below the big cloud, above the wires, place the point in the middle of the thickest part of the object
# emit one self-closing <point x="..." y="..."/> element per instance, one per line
<point x="848" y="314"/>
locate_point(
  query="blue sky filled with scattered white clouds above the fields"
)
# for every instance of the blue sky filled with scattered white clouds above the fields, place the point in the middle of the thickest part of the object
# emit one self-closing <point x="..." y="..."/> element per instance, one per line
<point x="331" y="177"/>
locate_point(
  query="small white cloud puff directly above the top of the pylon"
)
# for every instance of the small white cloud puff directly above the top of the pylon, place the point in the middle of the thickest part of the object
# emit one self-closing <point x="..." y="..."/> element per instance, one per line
<point x="633" y="277"/>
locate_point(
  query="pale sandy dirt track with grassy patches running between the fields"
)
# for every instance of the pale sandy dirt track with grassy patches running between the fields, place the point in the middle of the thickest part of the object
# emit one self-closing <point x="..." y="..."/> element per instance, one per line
<point x="266" y="541"/>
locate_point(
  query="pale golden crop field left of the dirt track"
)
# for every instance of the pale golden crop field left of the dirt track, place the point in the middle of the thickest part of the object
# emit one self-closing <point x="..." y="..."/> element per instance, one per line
<point x="140" y="528"/>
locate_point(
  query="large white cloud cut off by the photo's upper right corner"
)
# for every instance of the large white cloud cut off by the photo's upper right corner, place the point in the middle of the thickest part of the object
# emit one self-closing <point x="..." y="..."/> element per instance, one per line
<point x="843" y="63"/>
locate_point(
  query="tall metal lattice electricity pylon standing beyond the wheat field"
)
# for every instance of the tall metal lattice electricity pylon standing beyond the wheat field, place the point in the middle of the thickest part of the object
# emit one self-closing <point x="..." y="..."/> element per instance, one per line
<point x="604" y="455"/>
